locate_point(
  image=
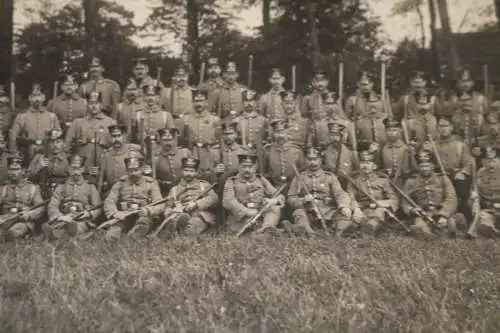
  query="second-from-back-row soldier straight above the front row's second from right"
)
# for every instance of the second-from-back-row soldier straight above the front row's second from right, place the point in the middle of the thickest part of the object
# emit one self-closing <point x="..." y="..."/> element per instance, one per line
<point x="423" y="123"/>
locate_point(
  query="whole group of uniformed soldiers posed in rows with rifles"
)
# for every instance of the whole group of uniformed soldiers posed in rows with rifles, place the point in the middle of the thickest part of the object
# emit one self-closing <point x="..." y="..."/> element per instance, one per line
<point x="162" y="161"/>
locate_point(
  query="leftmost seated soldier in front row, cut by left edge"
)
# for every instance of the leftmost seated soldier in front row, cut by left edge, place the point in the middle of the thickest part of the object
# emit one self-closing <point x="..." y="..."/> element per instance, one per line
<point x="22" y="199"/>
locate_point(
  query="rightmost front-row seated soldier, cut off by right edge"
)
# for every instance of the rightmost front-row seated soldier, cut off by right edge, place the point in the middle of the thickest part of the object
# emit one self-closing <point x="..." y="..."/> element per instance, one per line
<point x="486" y="201"/>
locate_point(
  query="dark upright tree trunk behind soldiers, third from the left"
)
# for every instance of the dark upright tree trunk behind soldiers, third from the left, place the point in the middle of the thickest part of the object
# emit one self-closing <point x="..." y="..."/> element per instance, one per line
<point x="193" y="36"/>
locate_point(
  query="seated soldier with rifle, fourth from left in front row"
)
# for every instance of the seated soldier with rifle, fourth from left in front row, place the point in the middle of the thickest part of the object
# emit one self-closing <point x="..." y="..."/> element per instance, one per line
<point x="192" y="212"/>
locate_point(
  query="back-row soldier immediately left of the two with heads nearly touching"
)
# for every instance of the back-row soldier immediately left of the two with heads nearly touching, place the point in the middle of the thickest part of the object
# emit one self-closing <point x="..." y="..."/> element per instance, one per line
<point x="179" y="97"/>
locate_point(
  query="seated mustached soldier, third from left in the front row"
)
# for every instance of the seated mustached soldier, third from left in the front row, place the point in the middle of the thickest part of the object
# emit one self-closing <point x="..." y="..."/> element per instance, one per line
<point x="132" y="192"/>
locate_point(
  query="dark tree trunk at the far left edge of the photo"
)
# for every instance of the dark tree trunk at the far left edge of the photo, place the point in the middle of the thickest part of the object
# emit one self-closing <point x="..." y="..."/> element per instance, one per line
<point x="6" y="41"/>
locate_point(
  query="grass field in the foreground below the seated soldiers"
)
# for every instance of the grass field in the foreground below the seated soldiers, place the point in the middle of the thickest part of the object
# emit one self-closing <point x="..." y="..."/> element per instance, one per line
<point x="256" y="284"/>
